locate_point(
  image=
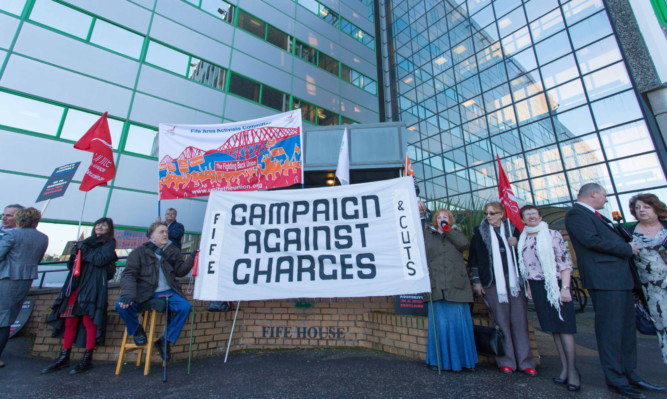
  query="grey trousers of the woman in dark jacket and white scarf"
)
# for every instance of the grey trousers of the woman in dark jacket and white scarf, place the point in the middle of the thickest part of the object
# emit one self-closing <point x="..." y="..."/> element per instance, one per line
<point x="512" y="318"/>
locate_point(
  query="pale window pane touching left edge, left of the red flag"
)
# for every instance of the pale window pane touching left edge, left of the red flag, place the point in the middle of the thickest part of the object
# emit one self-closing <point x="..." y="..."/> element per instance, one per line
<point x="35" y="116"/>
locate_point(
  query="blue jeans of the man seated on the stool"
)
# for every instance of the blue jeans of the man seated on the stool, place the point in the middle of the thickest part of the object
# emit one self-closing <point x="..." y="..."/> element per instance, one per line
<point x="178" y="306"/>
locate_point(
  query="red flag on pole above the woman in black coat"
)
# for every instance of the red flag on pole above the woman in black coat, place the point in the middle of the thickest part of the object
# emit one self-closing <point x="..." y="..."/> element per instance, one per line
<point x="98" y="141"/>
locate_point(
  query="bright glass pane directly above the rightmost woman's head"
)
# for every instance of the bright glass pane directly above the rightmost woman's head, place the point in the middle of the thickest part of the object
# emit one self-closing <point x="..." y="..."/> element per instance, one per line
<point x="642" y="172"/>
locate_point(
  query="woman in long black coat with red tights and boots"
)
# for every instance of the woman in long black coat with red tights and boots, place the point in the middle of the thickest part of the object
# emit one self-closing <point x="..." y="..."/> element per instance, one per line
<point x="80" y="311"/>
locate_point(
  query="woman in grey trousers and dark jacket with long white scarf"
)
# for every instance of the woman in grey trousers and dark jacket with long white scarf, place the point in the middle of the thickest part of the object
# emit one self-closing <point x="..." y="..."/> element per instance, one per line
<point x="495" y="275"/>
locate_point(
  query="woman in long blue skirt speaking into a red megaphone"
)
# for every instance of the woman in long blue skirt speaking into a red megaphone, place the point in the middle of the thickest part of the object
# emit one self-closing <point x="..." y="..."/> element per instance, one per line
<point x="451" y="344"/>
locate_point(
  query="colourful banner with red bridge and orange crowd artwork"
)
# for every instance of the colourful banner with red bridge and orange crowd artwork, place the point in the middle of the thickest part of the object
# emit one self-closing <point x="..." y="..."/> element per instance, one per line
<point x="241" y="156"/>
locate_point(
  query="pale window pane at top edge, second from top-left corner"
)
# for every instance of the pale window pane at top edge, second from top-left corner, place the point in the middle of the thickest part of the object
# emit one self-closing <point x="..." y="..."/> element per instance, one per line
<point x="60" y="17"/>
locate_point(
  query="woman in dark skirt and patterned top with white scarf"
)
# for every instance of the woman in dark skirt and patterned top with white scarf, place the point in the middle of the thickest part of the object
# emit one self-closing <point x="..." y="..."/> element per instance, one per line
<point x="545" y="264"/>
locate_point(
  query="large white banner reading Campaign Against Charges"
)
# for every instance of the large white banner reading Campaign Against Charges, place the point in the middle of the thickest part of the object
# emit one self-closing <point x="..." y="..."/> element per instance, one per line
<point x="346" y="241"/>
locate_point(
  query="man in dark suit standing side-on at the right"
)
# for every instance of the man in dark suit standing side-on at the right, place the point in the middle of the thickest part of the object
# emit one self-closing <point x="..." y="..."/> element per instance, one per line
<point x="603" y="259"/>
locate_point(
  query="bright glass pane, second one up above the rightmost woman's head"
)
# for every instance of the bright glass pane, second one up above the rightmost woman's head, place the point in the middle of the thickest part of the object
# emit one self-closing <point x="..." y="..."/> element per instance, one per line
<point x="626" y="140"/>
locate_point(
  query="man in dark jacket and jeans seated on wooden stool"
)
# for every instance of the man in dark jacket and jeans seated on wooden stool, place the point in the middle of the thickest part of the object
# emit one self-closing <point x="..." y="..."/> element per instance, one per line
<point x="151" y="272"/>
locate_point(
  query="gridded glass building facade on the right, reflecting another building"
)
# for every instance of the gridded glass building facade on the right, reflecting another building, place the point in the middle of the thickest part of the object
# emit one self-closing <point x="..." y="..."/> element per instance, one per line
<point x="542" y="84"/>
